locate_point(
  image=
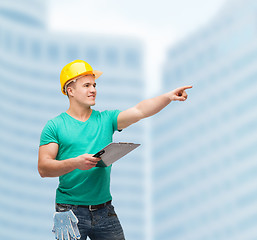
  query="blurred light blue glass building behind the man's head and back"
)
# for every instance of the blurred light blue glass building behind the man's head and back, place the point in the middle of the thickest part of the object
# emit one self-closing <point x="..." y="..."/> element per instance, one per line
<point x="31" y="59"/>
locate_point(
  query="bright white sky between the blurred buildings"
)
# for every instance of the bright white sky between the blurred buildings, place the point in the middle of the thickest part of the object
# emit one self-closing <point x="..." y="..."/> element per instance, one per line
<point x="160" y="24"/>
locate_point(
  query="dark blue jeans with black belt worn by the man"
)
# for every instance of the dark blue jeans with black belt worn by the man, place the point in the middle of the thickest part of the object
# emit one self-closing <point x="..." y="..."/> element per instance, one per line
<point x="101" y="224"/>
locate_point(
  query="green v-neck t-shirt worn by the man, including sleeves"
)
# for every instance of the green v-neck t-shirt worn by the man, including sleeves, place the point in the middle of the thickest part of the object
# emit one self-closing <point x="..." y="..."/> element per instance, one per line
<point x="74" y="137"/>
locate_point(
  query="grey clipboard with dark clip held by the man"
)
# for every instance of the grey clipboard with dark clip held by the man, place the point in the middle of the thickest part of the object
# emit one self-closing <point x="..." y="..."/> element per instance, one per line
<point x="113" y="152"/>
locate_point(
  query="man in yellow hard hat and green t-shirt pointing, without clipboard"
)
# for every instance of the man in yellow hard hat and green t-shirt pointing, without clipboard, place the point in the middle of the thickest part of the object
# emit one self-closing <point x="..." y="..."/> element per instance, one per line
<point x="67" y="145"/>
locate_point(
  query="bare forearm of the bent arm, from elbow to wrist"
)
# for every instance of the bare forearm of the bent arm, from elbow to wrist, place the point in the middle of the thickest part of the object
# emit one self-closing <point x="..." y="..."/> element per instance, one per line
<point x="56" y="168"/>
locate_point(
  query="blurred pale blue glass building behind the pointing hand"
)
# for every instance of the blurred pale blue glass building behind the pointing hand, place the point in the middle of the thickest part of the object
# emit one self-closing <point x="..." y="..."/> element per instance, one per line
<point x="205" y="178"/>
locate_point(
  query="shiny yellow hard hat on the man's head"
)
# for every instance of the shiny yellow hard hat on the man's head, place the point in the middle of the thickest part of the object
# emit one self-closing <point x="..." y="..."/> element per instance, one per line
<point x="75" y="69"/>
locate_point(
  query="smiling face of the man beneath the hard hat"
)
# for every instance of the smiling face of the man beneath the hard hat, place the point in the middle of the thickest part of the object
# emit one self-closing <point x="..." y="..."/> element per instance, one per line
<point x="83" y="91"/>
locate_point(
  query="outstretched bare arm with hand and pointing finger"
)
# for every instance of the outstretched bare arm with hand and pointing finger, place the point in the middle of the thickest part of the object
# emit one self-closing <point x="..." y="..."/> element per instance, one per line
<point x="150" y="107"/>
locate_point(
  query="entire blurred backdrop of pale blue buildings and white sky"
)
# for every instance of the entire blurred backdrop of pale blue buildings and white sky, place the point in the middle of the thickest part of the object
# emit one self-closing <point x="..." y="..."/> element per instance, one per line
<point x="195" y="175"/>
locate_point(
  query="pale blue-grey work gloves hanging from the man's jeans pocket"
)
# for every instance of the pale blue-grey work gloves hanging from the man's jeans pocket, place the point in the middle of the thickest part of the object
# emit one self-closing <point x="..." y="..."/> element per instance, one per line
<point x="65" y="226"/>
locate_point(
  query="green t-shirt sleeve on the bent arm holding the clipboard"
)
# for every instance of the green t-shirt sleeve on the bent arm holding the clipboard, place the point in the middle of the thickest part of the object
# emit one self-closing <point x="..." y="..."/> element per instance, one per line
<point x="48" y="134"/>
